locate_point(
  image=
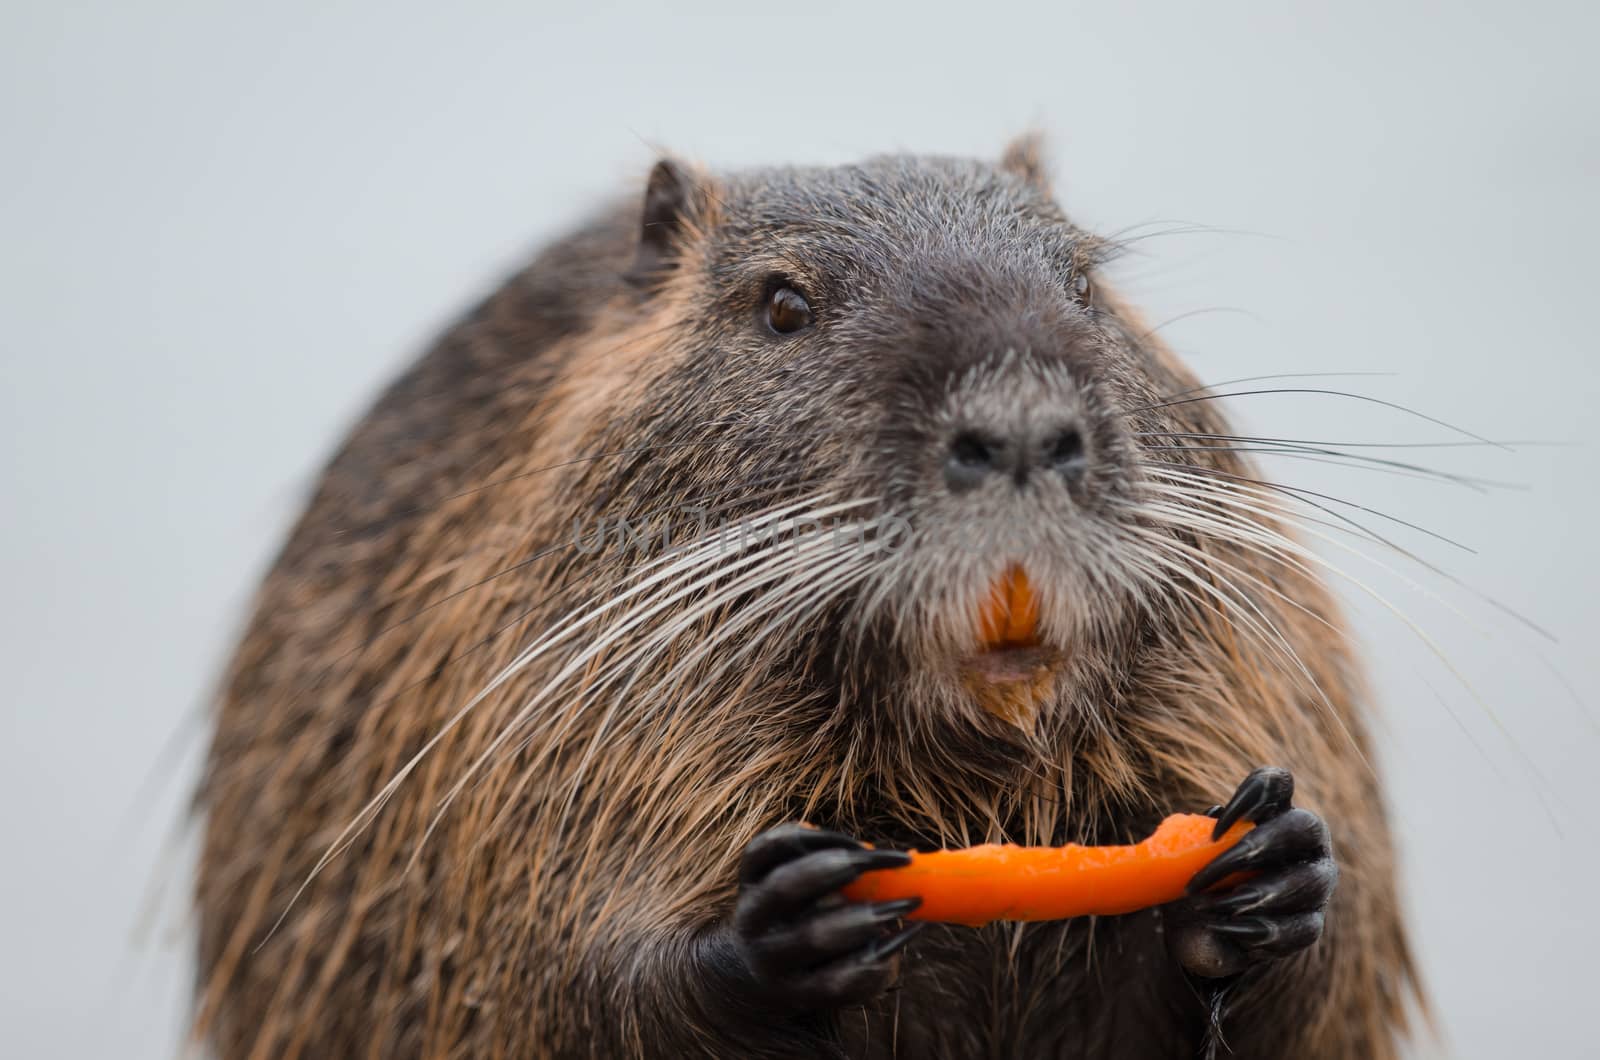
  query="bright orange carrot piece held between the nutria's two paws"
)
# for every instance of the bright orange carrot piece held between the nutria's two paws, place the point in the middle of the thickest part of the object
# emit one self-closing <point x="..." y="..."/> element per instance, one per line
<point x="1009" y="883"/>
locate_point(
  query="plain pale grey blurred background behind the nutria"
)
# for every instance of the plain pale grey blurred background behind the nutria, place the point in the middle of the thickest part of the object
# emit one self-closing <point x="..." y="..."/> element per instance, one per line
<point x="222" y="230"/>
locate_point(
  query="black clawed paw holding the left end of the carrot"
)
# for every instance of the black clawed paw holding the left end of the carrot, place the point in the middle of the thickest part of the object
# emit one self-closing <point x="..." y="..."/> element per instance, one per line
<point x="806" y="946"/>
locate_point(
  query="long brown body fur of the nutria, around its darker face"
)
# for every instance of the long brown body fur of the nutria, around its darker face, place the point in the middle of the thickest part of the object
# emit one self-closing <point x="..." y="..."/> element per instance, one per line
<point x="529" y="913"/>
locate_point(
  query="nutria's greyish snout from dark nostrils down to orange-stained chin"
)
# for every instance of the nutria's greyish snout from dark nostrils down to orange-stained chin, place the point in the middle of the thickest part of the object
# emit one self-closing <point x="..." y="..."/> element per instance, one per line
<point x="1020" y="480"/>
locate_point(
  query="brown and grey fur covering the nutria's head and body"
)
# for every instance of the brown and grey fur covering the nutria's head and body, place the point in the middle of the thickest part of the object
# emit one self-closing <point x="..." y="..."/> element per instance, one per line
<point x="548" y="907"/>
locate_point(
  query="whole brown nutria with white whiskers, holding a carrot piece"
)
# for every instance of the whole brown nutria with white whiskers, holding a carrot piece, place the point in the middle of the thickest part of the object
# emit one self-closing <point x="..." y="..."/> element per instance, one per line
<point x="486" y="787"/>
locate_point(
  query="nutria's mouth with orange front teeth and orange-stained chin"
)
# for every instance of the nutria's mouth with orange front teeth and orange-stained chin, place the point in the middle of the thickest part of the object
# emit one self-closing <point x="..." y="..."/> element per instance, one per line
<point x="1014" y="672"/>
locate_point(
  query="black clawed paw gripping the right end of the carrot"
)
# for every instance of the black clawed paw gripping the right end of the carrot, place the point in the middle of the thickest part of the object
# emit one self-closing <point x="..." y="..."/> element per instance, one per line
<point x="1279" y="907"/>
